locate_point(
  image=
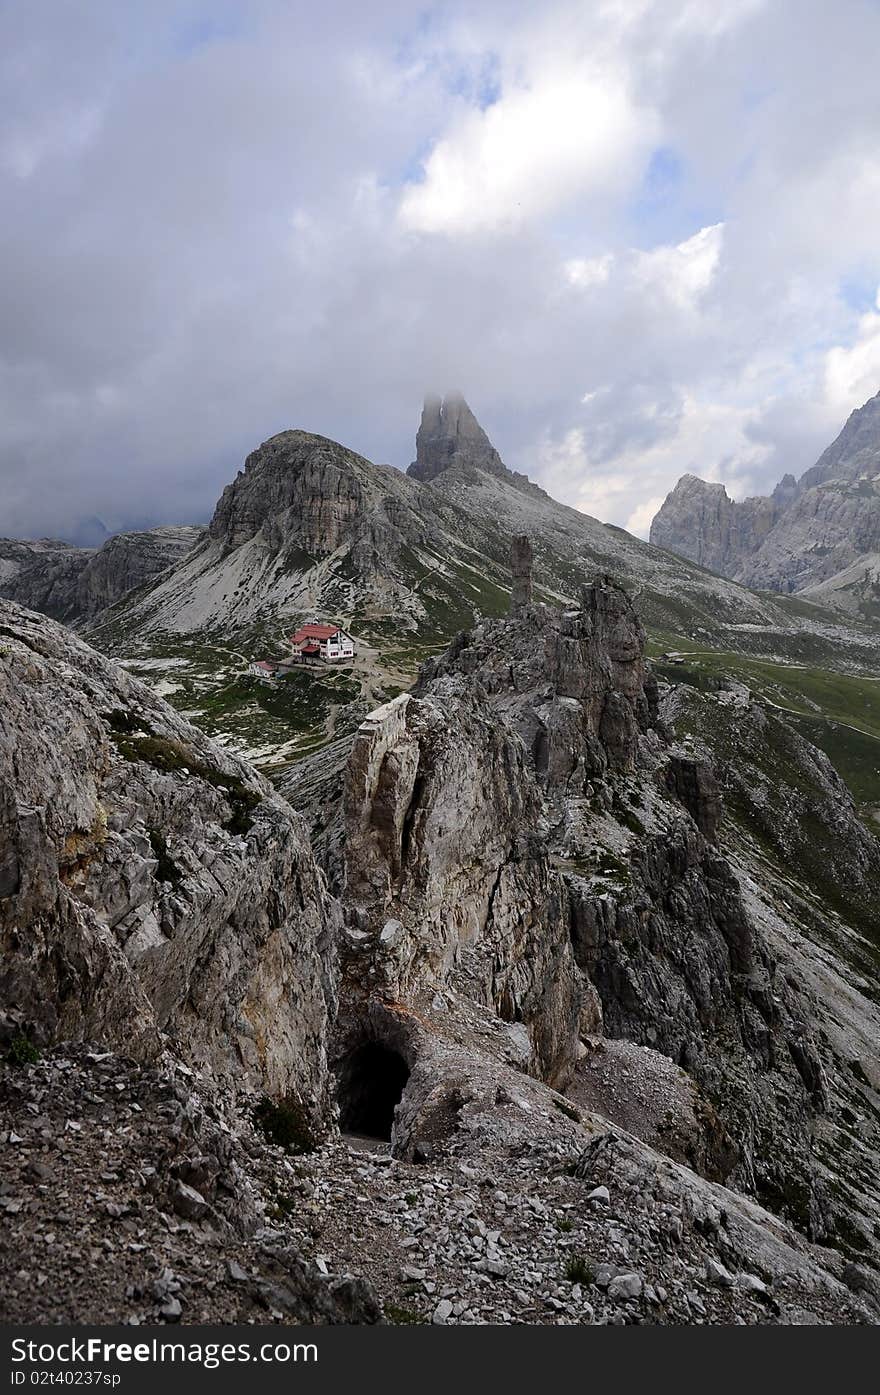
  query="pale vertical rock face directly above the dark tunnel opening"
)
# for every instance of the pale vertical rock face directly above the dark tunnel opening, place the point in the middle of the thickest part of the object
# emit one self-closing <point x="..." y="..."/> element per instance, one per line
<point x="447" y="880"/>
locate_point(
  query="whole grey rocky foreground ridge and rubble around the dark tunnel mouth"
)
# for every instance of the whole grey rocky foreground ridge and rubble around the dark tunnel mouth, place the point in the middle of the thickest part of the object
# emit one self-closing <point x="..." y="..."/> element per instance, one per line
<point x="579" y="928"/>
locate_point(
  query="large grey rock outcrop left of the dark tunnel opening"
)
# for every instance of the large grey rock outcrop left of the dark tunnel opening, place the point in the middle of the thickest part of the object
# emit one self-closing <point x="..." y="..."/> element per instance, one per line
<point x="153" y="888"/>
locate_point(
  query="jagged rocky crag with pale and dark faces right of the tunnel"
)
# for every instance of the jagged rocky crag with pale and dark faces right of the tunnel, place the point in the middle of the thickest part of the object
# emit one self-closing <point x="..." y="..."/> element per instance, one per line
<point x="521" y="831"/>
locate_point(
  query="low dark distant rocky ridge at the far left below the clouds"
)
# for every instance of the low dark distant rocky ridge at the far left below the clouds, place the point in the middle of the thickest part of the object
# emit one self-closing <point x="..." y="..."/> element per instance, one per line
<point x="75" y="584"/>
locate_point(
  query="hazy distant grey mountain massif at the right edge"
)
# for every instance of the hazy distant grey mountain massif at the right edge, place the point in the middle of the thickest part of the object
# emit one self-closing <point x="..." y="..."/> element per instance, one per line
<point x="804" y="536"/>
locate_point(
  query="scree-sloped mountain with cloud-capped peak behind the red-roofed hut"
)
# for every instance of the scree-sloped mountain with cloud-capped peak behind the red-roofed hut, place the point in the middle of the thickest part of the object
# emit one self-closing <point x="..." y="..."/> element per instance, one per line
<point x="310" y="525"/>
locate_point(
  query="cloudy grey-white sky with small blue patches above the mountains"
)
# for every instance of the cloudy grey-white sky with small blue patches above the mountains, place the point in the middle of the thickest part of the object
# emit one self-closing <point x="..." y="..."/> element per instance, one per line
<point x="644" y="238"/>
